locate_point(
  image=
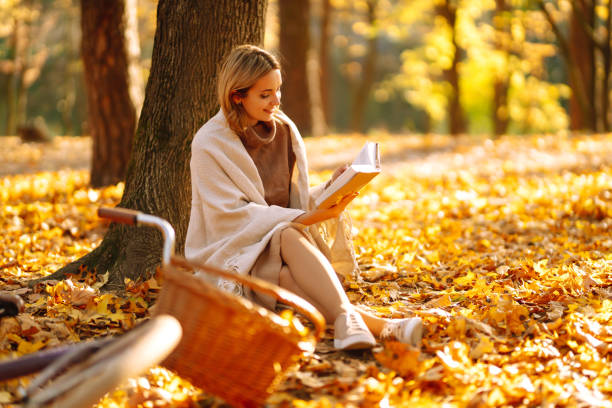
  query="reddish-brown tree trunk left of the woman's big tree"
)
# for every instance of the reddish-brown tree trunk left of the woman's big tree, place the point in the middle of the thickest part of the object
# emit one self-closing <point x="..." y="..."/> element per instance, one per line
<point x="112" y="116"/>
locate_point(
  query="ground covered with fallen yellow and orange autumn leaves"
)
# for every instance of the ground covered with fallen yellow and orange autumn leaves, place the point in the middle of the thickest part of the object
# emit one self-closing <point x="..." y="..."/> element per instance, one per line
<point x="503" y="247"/>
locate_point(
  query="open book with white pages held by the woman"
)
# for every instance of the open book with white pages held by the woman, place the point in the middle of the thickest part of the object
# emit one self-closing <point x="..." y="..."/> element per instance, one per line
<point x="363" y="169"/>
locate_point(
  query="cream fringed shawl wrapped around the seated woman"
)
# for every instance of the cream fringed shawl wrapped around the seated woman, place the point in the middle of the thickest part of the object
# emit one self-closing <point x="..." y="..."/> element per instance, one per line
<point x="230" y="222"/>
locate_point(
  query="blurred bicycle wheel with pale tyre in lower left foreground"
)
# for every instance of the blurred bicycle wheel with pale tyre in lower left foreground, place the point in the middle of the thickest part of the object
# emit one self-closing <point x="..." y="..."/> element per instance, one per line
<point x="129" y="355"/>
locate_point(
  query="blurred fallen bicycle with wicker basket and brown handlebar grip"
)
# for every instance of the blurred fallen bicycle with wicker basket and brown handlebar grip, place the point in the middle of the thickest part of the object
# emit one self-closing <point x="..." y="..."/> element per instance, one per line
<point x="224" y="344"/>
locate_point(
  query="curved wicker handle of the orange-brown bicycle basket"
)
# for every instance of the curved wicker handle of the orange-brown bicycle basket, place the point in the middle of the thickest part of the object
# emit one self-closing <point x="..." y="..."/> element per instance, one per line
<point x="260" y="285"/>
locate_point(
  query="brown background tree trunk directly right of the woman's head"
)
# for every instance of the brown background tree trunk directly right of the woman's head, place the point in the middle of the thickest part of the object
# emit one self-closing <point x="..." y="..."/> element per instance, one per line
<point x="294" y="42"/>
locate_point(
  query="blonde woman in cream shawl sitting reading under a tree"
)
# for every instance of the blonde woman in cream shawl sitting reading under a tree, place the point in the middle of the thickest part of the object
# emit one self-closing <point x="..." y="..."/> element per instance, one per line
<point x="252" y="207"/>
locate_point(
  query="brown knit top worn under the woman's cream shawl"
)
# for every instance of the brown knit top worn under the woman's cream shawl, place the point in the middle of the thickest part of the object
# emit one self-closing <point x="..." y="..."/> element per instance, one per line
<point x="269" y="145"/>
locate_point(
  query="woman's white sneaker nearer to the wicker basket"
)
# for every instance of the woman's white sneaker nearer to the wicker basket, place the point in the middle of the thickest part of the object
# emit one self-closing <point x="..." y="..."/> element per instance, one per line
<point x="351" y="332"/>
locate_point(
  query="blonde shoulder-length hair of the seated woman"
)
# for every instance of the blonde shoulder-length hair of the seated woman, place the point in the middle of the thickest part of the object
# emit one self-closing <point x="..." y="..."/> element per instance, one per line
<point x="240" y="69"/>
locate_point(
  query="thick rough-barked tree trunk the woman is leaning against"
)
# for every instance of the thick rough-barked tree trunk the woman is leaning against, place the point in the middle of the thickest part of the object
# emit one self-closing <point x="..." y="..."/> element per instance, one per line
<point x="190" y="39"/>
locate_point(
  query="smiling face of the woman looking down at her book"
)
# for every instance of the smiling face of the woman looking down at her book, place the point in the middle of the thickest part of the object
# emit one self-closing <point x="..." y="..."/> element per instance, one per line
<point x="263" y="97"/>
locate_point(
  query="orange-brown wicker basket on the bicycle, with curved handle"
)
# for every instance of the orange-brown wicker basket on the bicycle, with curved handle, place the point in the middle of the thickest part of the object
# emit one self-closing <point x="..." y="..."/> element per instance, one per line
<point x="232" y="347"/>
